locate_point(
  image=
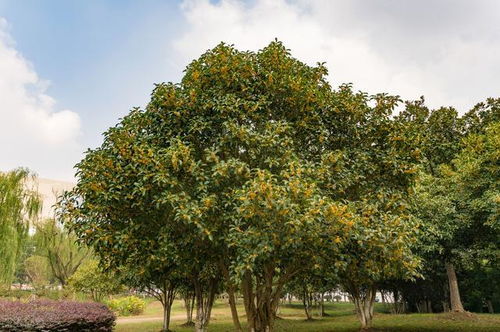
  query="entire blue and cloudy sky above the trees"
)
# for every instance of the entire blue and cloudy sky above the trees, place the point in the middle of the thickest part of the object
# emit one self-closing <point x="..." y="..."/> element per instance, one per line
<point x="71" y="69"/>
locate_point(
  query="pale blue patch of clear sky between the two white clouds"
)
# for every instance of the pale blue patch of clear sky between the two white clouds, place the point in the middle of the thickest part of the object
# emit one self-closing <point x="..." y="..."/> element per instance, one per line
<point x="101" y="57"/>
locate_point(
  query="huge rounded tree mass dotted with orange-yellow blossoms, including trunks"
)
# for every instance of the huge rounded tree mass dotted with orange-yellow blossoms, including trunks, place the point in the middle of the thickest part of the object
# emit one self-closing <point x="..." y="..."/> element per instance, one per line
<point x="252" y="171"/>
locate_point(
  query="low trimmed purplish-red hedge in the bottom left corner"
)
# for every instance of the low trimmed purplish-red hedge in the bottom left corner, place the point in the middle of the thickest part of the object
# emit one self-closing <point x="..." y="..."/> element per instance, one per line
<point x="49" y="315"/>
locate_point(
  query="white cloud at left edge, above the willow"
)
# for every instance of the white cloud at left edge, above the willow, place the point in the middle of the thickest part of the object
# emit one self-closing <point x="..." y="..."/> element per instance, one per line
<point x="33" y="133"/>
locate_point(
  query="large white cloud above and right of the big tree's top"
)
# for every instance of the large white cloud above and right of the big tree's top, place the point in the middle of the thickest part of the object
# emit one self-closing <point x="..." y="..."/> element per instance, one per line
<point x="446" y="51"/>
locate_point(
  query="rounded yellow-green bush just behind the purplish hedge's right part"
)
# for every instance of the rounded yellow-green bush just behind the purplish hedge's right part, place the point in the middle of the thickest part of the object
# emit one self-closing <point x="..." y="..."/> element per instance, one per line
<point x="91" y="280"/>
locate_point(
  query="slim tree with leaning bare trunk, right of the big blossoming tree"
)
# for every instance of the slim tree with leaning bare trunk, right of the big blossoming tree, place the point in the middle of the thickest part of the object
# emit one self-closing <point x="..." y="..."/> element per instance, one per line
<point x="437" y="135"/>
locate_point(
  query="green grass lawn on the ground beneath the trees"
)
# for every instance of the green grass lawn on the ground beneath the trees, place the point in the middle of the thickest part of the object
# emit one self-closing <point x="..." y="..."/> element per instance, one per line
<point x="340" y="318"/>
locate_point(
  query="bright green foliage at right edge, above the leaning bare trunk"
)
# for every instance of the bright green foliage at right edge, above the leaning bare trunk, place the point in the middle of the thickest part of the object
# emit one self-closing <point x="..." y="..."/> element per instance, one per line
<point x="460" y="204"/>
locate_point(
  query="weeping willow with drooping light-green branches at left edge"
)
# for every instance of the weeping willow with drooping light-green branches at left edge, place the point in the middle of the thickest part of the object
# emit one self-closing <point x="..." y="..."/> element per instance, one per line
<point x="19" y="205"/>
